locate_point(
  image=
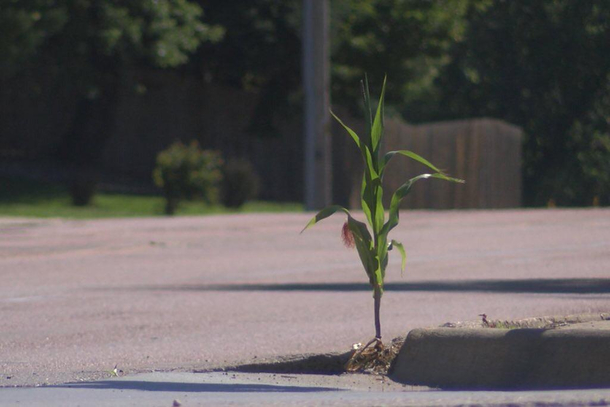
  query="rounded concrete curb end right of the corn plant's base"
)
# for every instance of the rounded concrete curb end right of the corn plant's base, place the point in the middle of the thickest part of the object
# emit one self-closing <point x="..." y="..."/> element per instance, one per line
<point x="504" y="359"/>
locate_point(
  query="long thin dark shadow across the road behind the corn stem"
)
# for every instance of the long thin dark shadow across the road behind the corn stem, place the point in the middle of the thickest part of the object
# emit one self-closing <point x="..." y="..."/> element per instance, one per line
<point x="539" y="286"/>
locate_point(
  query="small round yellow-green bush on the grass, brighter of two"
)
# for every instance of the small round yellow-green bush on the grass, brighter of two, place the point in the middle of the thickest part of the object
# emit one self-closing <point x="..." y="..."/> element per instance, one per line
<point x="187" y="172"/>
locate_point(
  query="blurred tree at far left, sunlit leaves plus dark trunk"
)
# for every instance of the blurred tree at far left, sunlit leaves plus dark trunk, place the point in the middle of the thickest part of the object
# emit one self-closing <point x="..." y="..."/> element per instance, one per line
<point x="90" y="44"/>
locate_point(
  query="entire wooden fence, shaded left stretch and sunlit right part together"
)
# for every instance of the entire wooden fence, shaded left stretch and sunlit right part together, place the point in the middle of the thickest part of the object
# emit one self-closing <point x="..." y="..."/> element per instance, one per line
<point x="485" y="152"/>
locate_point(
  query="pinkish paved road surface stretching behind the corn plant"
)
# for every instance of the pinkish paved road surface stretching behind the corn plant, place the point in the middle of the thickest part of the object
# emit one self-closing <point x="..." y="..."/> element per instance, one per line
<point x="79" y="297"/>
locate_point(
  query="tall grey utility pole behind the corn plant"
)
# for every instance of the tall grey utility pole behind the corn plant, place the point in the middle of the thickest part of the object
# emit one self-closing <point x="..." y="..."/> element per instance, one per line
<point x="316" y="87"/>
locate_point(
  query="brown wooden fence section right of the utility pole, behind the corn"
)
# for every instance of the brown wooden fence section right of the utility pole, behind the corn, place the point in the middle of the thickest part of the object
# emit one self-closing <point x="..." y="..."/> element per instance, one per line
<point x="484" y="152"/>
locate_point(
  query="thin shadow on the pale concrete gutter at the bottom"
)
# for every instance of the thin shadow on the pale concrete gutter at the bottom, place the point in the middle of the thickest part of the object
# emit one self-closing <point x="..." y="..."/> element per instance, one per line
<point x="193" y="387"/>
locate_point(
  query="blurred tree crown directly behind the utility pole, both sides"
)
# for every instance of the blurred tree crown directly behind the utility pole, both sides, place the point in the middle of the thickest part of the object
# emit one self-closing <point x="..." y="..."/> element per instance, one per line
<point x="261" y="51"/>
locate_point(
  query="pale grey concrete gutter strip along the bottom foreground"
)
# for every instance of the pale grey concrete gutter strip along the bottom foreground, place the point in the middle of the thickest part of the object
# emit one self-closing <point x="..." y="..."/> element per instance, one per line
<point x="242" y="389"/>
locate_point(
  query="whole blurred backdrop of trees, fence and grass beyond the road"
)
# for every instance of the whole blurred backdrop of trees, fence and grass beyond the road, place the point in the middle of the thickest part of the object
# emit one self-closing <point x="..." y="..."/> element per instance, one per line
<point x="112" y="108"/>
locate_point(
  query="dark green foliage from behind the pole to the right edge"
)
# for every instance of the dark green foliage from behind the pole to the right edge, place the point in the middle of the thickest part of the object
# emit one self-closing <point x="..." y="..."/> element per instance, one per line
<point x="536" y="64"/>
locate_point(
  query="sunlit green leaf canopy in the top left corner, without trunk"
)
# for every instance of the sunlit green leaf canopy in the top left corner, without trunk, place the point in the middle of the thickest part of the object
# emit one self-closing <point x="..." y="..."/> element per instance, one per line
<point x="158" y="33"/>
